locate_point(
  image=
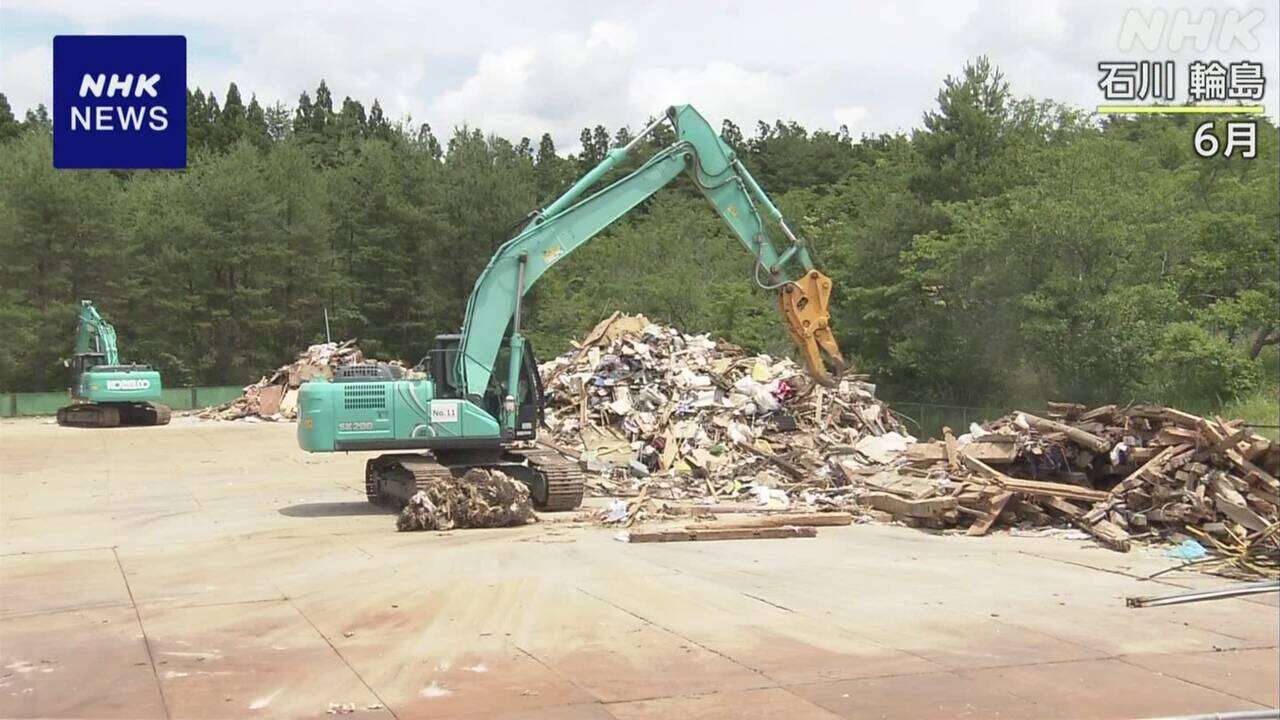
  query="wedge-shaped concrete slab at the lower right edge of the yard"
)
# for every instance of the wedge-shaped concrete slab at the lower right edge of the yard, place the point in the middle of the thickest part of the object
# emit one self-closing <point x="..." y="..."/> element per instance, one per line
<point x="1249" y="675"/>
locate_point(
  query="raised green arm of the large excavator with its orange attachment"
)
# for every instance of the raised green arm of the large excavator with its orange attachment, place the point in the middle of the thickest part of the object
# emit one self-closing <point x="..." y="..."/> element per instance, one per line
<point x="572" y="221"/>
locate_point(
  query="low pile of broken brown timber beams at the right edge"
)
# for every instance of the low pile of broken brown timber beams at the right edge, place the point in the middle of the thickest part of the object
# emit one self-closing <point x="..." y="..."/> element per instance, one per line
<point x="1140" y="472"/>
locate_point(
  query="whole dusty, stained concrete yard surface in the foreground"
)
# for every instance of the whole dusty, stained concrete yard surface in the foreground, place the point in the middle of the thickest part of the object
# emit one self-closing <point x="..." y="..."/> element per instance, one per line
<point x="214" y="571"/>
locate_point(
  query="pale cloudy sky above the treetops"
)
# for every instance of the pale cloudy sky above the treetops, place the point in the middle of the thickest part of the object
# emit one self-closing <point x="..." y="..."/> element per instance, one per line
<point x="527" y="69"/>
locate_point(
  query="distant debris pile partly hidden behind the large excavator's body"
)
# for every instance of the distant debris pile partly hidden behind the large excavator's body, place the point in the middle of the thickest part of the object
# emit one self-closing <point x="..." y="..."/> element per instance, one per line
<point x="276" y="397"/>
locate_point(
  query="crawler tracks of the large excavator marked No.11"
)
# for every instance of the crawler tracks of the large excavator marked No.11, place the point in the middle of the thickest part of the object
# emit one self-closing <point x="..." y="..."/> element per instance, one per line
<point x="555" y="482"/>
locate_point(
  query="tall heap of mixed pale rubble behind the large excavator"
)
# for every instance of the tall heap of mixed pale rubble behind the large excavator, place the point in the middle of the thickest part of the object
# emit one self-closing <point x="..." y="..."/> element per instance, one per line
<point x="659" y="414"/>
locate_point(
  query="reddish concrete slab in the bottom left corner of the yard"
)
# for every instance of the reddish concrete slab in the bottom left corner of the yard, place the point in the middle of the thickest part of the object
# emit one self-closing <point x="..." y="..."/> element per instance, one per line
<point x="81" y="664"/>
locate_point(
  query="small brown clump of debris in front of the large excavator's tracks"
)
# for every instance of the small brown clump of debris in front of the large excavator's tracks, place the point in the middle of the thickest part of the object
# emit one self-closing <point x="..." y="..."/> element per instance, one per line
<point x="479" y="499"/>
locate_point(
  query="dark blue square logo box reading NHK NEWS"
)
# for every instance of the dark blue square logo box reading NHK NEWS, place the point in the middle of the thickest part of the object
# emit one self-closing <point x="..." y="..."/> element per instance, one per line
<point x="121" y="102"/>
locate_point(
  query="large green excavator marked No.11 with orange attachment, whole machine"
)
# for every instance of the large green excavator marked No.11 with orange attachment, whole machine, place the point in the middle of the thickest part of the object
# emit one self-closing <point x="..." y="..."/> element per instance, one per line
<point x="482" y="400"/>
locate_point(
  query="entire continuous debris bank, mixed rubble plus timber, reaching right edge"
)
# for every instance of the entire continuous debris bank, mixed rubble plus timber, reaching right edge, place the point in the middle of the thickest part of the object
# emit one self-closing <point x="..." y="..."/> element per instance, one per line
<point x="659" y="417"/>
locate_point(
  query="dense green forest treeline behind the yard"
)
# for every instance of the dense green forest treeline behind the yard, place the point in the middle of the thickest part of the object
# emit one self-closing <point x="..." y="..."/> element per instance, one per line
<point x="1007" y="249"/>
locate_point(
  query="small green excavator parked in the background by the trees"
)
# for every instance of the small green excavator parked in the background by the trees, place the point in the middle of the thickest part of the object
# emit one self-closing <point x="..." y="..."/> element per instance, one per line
<point x="107" y="394"/>
